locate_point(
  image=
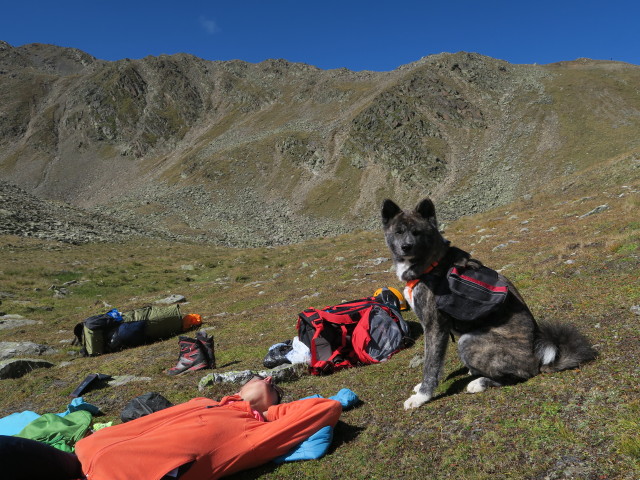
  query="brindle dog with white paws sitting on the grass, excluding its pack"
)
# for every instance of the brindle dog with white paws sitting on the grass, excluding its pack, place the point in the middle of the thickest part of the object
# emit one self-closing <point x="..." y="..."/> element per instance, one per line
<point x="505" y="348"/>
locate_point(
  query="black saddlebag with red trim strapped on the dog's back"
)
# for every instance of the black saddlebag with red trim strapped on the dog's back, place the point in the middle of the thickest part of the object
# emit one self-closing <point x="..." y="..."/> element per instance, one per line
<point x="470" y="294"/>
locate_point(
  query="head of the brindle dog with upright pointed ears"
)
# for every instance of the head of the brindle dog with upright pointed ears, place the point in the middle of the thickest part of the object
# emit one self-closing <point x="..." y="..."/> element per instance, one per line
<point x="412" y="237"/>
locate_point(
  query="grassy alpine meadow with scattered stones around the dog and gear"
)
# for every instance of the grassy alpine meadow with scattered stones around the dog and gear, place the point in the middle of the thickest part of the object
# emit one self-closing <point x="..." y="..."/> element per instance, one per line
<point x="573" y="253"/>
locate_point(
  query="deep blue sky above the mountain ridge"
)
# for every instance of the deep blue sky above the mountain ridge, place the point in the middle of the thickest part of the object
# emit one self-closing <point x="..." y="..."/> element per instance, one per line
<point x="356" y="34"/>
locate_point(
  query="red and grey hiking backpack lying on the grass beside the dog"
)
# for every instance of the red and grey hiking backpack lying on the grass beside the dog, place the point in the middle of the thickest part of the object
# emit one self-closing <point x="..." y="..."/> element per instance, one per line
<point x="359" y="332"/>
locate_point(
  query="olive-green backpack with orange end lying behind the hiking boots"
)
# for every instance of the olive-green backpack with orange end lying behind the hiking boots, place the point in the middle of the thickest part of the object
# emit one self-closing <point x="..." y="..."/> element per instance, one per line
<point x="113" y="331"/>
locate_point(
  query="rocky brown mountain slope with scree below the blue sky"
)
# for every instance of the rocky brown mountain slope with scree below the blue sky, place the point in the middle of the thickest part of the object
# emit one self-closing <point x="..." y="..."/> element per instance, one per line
<point x="276" y="152"/>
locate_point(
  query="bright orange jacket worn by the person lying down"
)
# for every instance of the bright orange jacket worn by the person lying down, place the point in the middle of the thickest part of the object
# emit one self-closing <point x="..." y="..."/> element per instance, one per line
<point x="221" y="438"/>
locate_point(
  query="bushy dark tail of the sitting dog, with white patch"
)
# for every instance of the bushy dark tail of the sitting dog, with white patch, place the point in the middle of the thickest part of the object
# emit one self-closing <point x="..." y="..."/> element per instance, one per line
<point x="561" y="347"/>
